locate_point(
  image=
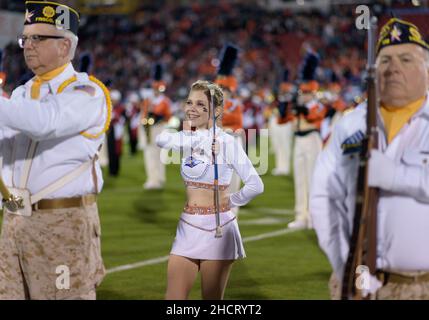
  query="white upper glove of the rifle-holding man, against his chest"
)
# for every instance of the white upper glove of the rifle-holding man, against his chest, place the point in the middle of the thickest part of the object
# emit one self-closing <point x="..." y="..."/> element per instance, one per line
<point x="381" y="170"/>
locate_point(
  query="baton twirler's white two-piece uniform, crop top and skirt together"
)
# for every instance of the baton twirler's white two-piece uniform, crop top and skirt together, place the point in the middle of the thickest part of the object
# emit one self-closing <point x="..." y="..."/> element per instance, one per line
<point x="191" y="241"/>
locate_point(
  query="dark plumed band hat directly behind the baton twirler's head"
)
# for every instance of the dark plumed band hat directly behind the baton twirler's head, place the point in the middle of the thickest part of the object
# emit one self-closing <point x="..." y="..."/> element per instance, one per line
<point x="229" y="58"/>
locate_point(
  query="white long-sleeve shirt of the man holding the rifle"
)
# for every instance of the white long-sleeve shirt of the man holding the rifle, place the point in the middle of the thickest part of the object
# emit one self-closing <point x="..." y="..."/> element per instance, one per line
<point x="403" y="211"/>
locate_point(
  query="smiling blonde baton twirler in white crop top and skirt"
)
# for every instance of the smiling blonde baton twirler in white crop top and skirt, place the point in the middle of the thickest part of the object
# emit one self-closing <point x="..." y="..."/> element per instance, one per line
<point x="195" y="247"/>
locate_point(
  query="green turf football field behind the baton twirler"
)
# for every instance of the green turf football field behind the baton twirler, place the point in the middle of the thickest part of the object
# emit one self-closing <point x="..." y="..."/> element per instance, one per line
<point x="139" y="225"/>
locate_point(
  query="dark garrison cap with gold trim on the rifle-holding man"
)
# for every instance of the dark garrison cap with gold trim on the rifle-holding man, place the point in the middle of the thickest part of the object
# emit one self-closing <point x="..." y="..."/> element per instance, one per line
<point x="397" y="31"/>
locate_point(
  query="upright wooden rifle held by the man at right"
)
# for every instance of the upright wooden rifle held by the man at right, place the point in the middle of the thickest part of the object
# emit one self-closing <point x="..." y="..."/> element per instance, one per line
<point x="363" y="241"/>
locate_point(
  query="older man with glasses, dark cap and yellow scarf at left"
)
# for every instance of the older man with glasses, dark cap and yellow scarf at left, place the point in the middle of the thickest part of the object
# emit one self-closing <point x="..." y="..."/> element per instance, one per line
<point x="50" y="132"/>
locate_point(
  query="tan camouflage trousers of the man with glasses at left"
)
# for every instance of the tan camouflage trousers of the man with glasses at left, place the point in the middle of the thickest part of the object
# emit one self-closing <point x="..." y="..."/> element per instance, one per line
<point x="54" y="254"/>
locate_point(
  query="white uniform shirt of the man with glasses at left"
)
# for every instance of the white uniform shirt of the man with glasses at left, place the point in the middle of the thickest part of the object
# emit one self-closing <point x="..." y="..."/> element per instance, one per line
<point x="55" y="121"/>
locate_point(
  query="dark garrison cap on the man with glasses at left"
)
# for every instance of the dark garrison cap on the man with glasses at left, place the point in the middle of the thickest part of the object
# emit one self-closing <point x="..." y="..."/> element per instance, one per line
<point x="53" y="13"/>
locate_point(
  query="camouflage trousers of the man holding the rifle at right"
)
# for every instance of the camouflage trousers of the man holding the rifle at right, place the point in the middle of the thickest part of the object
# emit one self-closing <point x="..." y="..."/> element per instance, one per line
<point x="390" y="291"/>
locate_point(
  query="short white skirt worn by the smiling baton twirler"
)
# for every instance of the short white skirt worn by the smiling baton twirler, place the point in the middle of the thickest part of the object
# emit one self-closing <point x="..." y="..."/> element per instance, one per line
<point x="195" y="243"/>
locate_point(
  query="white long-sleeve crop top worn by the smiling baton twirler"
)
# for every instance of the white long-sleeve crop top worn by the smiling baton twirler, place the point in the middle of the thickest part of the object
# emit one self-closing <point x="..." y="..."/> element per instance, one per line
<point x="200" y="168"/>
